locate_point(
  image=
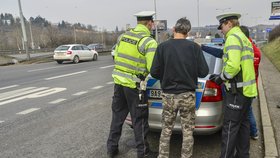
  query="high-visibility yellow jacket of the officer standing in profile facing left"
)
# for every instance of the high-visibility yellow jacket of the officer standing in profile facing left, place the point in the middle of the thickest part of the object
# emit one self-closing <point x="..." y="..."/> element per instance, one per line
<point x="238" y="61"/>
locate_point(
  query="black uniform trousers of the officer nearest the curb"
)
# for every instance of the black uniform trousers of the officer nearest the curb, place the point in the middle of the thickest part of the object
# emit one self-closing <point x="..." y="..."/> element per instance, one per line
<point x="236" y="126"/>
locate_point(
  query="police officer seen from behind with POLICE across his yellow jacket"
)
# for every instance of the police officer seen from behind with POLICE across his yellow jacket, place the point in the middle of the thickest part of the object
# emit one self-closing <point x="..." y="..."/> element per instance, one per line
<point x="134" y="54"/>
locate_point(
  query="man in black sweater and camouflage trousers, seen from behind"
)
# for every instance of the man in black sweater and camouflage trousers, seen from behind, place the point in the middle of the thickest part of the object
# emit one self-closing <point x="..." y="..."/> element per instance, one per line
<point x="177" y="64"/>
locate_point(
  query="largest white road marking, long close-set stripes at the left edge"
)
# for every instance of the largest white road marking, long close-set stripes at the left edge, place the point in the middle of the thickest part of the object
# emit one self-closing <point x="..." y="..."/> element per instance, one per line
<point x="32" y="95"/>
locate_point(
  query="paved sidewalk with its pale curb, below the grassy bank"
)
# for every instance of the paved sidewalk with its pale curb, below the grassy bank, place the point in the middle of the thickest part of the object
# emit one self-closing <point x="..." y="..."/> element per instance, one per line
<point x="269" y="97"/>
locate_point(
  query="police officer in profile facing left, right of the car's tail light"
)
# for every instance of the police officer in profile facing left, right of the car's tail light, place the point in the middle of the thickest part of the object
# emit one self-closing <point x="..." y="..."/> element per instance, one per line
<point x="238" y="75"/>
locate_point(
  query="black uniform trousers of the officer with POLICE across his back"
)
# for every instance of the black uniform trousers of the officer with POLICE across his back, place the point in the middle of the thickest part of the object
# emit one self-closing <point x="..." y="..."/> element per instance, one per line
<point x="127" y="100"/>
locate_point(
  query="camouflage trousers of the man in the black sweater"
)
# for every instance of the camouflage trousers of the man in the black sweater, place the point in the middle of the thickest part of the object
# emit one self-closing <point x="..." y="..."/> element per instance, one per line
<point x="185" y="104"/>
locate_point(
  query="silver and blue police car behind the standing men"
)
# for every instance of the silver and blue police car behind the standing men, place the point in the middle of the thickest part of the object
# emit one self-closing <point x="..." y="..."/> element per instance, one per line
<point x="209" y="113"/>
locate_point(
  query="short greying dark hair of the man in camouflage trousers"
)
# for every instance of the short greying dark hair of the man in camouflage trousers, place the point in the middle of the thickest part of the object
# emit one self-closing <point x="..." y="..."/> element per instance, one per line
<point x="183" y="25"/>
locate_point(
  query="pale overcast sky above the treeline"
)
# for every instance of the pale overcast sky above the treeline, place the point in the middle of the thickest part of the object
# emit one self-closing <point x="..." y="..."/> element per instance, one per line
<point x="108" y="14"/>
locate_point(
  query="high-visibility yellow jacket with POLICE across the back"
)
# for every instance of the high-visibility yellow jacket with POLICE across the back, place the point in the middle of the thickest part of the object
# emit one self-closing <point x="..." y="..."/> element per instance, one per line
<point x="134" y="55"/>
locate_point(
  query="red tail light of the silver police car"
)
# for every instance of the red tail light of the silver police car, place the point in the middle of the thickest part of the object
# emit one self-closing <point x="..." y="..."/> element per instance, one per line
<point x="212" y="92"/>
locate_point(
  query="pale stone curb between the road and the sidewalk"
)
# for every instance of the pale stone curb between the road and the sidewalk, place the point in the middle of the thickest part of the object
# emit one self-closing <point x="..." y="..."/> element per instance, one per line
<point x="270" y="150"/>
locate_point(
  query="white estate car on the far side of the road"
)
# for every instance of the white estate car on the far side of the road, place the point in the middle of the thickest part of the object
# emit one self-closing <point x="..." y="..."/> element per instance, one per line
<point x="74" y="53"/>
